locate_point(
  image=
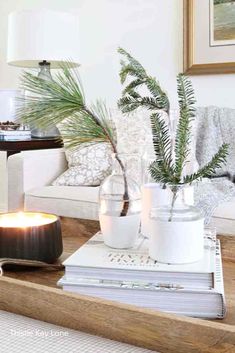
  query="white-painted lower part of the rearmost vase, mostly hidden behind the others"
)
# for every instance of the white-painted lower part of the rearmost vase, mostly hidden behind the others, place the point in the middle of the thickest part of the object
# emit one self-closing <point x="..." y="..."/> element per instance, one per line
<point x="153" y="195"/>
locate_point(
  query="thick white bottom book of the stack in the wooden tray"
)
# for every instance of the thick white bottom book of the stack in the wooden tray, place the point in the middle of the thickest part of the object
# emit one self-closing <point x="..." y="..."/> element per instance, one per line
<point x="208" y="303"/>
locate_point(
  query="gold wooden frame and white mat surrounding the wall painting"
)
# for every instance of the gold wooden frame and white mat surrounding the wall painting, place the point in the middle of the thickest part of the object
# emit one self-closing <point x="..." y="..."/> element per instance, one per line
<point x="202" y="53"/>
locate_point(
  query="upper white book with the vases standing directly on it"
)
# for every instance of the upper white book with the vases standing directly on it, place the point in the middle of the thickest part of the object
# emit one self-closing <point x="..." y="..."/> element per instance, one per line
<point x="94" y="260"/>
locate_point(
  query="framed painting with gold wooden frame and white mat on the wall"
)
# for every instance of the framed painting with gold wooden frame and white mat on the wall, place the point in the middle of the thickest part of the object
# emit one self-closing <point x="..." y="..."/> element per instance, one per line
<point x="209" y="36"/>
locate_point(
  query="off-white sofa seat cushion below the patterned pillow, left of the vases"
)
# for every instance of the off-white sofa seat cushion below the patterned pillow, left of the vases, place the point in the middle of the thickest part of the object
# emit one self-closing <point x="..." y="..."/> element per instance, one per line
<point x="67" y="201"/>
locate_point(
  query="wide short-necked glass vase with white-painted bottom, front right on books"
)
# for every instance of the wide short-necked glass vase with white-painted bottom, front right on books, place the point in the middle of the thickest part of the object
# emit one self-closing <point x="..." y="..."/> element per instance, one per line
<point x="176" y="230"/>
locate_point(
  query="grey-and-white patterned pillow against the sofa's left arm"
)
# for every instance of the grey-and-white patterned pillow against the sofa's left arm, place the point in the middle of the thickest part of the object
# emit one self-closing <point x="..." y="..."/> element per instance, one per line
<point x="88" y="165"/>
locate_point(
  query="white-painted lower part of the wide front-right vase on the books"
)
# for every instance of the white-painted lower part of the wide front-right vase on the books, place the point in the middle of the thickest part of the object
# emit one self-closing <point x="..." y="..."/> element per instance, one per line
<point x="176" y="242"/>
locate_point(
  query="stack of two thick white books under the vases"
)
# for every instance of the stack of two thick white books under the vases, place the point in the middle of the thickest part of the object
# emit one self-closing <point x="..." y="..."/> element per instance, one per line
<point x="131" y="277"/>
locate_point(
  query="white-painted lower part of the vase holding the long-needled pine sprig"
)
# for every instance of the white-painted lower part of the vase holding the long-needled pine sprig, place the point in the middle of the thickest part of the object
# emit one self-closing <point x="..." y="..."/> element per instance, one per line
<point x="120" y="232"/>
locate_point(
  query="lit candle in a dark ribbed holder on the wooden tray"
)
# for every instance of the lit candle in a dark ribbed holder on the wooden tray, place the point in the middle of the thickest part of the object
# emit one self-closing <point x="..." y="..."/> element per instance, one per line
<point x="30" y="236"/>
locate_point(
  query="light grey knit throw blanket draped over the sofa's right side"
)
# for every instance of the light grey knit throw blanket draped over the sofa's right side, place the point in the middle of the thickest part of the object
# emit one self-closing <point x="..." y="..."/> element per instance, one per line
<point x="214" y="126"/>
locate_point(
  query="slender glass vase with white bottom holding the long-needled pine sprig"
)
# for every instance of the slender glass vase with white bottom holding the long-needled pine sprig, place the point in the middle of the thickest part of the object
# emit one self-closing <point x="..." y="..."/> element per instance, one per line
<point x="119" y="206"/>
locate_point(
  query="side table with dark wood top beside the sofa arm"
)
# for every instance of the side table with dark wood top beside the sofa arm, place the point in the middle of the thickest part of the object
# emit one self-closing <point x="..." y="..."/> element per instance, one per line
<point x="8" y="148"/>
